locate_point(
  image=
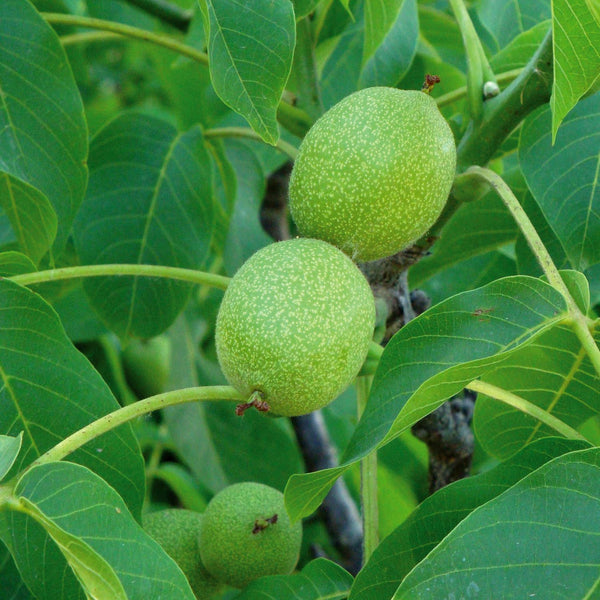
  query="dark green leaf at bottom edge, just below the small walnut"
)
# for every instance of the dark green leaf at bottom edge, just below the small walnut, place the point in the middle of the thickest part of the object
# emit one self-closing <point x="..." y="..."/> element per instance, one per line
<point x="320" y="579"/>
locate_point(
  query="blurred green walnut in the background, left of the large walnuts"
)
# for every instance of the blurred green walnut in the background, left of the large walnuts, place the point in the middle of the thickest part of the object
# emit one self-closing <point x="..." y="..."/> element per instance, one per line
<point x="147" y="365"/>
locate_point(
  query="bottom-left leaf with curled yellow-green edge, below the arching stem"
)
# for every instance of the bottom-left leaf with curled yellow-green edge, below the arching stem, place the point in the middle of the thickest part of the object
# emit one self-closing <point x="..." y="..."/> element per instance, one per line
<point x="110" y="553"/>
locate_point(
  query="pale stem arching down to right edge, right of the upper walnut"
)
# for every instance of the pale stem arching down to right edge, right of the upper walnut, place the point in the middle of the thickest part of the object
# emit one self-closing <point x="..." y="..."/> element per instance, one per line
<point x="579" y="322"/>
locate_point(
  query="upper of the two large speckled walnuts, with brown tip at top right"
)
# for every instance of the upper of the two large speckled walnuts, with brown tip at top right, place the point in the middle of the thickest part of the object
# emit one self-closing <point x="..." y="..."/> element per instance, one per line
<point x="374" y="172"/>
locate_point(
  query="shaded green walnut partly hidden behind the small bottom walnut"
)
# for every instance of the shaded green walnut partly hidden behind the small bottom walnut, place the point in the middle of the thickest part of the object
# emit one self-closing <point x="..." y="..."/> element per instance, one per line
<point x="178" y="531"/>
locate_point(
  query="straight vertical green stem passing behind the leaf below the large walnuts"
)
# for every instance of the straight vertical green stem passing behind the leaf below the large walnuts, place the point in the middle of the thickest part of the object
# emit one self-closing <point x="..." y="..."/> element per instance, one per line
<point x="368" y="478"/>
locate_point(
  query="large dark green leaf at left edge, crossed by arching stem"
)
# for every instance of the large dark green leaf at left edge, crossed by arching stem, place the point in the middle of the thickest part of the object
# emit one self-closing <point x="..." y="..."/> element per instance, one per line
<point x="50" y="391"/>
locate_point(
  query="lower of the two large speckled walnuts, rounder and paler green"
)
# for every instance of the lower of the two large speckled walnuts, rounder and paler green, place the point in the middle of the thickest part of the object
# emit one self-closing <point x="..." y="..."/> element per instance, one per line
<point x="295" y="324"/>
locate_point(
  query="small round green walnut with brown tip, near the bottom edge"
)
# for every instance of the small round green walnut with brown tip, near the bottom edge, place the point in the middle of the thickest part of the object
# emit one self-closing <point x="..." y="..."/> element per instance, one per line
<point x="246" y="534"/>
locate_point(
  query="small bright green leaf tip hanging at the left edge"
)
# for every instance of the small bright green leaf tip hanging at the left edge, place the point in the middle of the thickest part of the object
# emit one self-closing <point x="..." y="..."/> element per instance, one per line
<point x="31" y="215"/>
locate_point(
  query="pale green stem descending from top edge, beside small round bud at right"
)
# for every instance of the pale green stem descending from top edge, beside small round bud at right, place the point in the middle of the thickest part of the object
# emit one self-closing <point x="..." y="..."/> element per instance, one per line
<point x="475" y="59"/>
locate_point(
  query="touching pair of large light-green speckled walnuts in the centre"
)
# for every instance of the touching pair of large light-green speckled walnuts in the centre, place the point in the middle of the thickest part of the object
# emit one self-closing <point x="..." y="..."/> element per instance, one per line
<point x="371" y="177"/>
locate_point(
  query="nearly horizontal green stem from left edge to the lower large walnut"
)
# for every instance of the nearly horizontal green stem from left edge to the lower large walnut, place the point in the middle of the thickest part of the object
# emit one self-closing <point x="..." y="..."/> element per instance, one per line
<point x="199" y="277"/>
